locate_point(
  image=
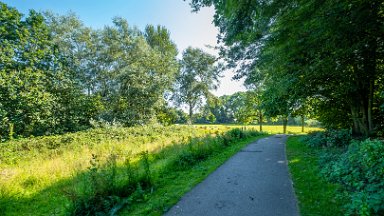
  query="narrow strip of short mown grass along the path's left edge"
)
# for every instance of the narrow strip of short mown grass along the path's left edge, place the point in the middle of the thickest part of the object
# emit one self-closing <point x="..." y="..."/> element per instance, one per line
<point x="173" y="185"/>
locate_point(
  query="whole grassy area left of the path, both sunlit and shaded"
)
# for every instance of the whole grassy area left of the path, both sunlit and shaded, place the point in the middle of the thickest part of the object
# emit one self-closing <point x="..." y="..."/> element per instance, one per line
<point x="76" y="172"/>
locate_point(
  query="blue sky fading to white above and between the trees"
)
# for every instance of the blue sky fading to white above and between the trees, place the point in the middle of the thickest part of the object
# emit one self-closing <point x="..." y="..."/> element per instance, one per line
<point x="187" y="28"/>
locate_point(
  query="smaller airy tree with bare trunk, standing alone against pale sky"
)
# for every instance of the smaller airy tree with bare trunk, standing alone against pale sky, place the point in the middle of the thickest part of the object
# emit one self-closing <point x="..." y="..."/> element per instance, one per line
<point x="198" y="75"/>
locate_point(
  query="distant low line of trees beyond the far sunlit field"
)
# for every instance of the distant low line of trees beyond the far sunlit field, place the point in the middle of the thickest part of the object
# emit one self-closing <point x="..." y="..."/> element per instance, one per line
<point x="247" y="108"/>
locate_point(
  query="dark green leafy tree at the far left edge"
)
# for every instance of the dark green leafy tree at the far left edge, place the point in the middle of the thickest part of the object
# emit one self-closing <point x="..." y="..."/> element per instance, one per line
<point x="25" y="54"/>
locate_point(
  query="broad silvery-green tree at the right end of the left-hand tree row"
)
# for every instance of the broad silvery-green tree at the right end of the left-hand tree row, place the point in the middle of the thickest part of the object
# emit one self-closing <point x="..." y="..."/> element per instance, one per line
<point x="140" y="68"/>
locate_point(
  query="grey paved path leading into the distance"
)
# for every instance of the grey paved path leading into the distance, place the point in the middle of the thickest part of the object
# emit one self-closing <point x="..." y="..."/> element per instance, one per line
<point x="254" y="182"/>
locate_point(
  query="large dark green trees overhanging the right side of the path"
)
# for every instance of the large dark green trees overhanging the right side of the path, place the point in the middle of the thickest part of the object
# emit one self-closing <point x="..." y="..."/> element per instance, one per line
<point x="327" y="56"/>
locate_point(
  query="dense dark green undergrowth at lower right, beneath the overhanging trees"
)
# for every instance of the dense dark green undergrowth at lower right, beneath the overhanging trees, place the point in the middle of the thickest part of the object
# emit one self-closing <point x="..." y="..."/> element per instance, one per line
<point x="357" y="165"/>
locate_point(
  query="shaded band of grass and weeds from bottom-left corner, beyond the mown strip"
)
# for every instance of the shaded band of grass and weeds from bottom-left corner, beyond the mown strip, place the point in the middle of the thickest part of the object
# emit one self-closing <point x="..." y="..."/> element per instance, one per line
<point x="120" y="180"/>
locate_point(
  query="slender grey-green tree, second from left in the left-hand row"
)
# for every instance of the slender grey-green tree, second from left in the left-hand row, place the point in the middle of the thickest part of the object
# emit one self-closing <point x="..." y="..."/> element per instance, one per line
<point x="71" y="73"/>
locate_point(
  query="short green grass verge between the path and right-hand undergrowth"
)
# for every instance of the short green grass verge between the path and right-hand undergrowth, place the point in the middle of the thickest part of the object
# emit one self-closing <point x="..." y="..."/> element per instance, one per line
<point x="315" y="195"/>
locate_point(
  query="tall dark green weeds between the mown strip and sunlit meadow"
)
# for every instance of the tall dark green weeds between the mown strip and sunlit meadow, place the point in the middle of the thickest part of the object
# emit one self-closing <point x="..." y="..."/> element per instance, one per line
<point x="104" y="187"/>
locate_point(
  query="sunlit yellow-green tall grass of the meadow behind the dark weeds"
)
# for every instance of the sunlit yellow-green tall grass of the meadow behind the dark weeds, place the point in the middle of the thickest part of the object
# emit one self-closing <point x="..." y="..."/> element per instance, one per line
<point x="36" y="172"/>
